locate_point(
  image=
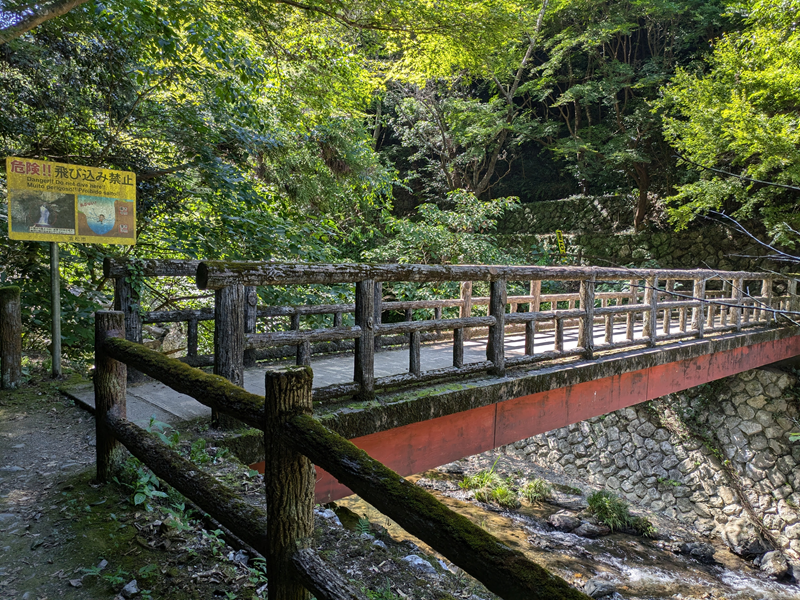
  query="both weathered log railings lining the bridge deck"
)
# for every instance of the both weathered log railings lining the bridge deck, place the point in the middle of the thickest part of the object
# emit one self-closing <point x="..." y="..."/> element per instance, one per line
<point x="647" y="307"/>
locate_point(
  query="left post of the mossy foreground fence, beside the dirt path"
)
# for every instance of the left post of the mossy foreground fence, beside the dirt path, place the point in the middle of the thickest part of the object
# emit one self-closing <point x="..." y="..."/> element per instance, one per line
<point x="109" y="391"/>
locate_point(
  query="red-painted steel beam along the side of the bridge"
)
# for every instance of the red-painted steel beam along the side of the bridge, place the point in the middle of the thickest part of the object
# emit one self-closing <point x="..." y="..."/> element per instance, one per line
<point x="427" y="444"/>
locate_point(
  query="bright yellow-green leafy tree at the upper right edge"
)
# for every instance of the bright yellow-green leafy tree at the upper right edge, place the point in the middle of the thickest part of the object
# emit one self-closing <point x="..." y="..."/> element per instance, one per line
<point x="739" y="116"/>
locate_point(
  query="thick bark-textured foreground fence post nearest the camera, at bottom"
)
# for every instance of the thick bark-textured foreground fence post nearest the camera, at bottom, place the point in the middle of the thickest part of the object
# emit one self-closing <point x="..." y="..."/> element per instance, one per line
<point x="289" y="481"/>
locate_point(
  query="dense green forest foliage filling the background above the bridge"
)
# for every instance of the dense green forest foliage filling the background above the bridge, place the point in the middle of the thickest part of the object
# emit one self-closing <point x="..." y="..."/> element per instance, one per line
<point x="393" y="130"/>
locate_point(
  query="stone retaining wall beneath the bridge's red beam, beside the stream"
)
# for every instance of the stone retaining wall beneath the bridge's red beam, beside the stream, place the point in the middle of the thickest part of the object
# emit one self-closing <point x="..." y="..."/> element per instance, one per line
<point x="717" y="457"/>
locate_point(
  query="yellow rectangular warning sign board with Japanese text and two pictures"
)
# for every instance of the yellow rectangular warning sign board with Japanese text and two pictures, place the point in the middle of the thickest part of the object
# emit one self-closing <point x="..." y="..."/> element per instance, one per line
<point x="56" y="202"/>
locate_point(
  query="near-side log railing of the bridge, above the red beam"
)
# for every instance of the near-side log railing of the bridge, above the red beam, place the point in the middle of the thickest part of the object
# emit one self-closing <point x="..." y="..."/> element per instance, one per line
<point x="653" y="305"/>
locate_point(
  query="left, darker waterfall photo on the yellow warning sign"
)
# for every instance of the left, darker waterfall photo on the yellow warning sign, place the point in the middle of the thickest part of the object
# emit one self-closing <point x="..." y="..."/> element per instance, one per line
<point x="34" y="211"/>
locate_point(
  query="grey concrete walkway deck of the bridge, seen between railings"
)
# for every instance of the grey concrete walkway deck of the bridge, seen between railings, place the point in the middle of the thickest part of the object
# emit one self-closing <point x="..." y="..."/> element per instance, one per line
<point x="153" y="399"/>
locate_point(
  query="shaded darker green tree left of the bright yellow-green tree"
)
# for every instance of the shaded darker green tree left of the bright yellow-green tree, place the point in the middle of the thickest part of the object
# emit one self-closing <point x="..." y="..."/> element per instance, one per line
<point x="603" y="66"/>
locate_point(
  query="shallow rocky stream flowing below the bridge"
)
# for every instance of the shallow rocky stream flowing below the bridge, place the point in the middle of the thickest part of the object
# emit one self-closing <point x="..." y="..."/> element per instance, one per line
<point x="639" y="568"/>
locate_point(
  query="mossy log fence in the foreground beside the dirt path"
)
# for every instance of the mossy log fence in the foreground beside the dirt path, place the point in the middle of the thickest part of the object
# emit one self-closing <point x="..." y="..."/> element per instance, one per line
<point x="293" y="440"/>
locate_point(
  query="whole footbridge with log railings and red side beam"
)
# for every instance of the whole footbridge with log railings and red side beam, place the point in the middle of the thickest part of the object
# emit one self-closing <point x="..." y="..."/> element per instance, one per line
<point x="578" y="342"/>
